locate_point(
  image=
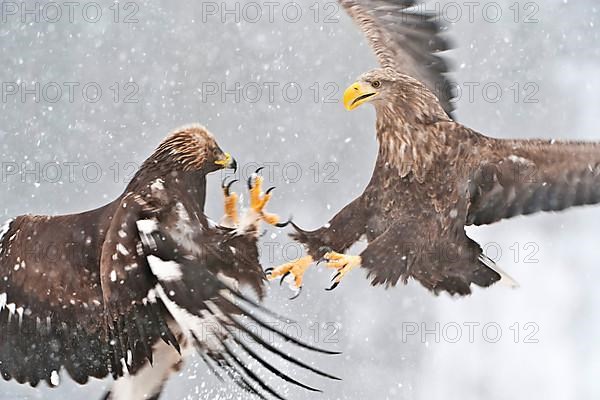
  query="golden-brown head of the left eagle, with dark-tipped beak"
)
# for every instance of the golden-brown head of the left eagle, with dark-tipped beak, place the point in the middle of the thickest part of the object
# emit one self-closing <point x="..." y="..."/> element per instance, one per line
<point x="192" y="148"/>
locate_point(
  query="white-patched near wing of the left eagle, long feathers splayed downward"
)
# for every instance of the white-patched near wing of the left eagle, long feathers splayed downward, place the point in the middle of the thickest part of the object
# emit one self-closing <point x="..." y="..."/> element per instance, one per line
<point x="168" y="275"/>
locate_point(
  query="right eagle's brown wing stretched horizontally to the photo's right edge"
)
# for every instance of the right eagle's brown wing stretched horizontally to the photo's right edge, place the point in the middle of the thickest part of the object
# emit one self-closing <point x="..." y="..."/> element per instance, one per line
<point x="524" y="177"/>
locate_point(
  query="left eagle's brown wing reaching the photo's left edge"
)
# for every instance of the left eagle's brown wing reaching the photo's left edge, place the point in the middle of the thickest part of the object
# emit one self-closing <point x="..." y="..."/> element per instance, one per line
<point x="50" y="298"/>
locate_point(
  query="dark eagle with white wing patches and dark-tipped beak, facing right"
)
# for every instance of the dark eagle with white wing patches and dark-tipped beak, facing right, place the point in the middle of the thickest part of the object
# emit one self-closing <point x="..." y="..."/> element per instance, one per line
<point x="134" y="285"/>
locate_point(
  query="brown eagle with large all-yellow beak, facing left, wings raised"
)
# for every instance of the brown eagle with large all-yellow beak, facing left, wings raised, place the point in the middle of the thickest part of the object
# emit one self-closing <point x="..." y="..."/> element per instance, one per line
<point x="434" y="176"/>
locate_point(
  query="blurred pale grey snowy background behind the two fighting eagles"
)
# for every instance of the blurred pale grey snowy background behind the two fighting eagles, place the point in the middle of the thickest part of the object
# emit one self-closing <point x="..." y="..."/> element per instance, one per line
<point x="539" y="341"/>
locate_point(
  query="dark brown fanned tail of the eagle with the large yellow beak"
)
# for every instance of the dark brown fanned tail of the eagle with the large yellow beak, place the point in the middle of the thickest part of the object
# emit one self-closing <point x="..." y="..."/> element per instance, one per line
<point x="450" y="265"/>
